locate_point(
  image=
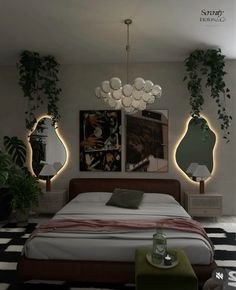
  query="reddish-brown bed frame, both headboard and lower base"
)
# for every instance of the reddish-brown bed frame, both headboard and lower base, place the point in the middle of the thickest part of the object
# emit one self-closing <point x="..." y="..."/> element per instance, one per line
<point x="102" y="271"/>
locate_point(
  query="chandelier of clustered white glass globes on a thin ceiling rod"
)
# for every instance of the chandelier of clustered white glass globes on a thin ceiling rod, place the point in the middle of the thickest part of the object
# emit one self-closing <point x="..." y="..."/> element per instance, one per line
<point x="130" y="97"/>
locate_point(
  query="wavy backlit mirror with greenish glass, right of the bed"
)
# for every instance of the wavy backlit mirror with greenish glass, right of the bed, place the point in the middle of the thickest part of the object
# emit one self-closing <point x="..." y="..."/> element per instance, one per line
<point x="197" y="146"/>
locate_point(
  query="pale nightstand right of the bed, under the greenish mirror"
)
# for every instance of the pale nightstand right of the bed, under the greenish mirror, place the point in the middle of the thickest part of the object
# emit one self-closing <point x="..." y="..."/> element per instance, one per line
<point x="203" y="205"/>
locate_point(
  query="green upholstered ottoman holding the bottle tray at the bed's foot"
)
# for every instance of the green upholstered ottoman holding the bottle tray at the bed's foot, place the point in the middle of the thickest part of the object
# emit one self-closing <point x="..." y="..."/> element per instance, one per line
<point x="148" y="277"/>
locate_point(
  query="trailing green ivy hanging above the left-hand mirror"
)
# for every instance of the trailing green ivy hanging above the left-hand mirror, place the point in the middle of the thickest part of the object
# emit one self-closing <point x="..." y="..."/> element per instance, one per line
<point x="39" y="82"/>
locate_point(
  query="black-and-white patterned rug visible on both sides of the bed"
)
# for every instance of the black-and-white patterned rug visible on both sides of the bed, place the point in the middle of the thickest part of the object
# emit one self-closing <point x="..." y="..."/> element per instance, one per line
<point x="13" y="237"/>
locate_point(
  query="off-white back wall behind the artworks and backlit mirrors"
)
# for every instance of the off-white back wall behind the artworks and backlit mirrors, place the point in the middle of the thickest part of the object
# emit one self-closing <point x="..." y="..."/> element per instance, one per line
<point x="78" y="83"/>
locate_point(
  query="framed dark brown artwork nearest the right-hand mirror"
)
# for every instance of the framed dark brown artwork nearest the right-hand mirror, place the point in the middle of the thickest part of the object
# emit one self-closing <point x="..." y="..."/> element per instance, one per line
<point x="147" y="141"/>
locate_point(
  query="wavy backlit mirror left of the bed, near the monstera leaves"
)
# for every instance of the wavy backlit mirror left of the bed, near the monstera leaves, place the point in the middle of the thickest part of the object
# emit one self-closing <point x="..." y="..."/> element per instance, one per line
<point x="46" y="146"/>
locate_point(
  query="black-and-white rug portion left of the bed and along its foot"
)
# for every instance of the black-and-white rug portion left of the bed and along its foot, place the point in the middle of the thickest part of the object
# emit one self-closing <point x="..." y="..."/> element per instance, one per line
<point x="12" y="239"/>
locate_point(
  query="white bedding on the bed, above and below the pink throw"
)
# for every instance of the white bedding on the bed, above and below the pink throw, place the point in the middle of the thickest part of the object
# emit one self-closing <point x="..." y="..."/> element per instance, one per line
<point x="116" y="246"/>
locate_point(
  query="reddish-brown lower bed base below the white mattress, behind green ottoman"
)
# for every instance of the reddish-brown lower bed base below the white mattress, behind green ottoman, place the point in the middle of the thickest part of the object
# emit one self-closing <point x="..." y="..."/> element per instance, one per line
<point x="90" y="271"/>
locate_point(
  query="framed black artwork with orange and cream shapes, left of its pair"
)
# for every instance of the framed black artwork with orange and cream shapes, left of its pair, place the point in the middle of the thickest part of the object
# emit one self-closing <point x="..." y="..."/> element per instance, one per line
<point x="100" y="140"/>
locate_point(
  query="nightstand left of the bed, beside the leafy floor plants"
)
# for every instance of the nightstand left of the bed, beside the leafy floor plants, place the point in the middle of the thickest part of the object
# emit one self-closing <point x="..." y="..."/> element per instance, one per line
<point x="52" y="201"/>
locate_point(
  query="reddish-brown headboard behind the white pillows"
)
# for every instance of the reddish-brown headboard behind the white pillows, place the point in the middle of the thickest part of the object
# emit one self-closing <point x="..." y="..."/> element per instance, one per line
<point x="79" y="185"/>
